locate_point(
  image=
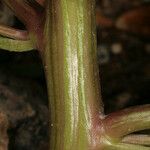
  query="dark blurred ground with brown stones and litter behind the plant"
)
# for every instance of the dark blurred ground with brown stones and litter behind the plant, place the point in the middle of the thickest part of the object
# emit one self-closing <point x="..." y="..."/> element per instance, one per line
<point x="123" y="46"/>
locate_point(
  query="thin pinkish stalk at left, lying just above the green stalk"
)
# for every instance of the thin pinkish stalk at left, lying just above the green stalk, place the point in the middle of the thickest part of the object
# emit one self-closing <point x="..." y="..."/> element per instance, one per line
<point x="13" y="33"/>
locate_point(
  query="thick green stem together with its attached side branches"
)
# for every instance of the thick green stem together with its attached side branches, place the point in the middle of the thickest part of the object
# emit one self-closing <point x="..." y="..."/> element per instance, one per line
<point x="68" y="49"/>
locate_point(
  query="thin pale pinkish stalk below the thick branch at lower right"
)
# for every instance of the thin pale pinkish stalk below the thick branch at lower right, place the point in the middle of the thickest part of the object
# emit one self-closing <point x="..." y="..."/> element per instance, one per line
<point x="137" y="139"/>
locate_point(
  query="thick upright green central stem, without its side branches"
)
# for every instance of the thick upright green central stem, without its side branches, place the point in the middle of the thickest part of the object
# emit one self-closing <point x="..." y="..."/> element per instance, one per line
<point x="72" y="74"/>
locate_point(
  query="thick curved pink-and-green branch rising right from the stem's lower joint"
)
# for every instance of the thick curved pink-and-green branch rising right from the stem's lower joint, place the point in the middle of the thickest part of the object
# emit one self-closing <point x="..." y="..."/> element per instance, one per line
<point x="124" y="122"/>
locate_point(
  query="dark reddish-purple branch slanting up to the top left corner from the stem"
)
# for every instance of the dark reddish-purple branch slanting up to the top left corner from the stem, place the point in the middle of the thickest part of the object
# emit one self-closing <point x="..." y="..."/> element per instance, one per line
<point x="32" y="18"/>
